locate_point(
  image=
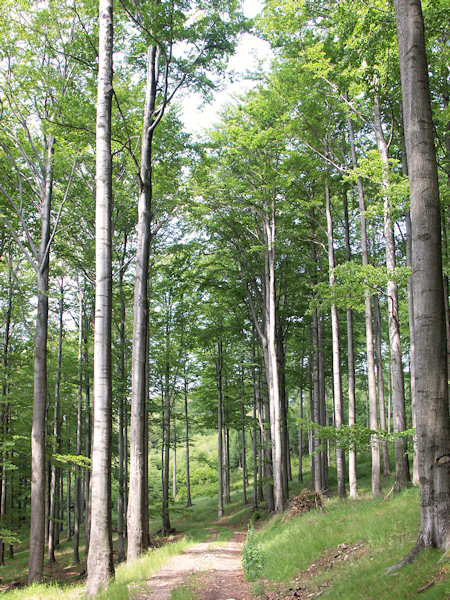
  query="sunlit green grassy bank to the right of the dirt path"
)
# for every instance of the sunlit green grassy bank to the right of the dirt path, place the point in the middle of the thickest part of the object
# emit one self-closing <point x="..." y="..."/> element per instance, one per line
<point x="382" y="530"/>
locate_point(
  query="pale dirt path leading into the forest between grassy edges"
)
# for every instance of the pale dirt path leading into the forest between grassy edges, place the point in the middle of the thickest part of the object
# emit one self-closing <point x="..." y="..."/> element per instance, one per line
<point x="217" y="569"/>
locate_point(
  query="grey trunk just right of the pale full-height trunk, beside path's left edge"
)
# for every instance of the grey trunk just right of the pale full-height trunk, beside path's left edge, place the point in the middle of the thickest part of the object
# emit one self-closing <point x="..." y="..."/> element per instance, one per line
<point x="139" y="361"/>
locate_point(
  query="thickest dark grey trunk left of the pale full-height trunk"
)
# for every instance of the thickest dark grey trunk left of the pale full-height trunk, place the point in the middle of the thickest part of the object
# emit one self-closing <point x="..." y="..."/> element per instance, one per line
<point x="37" y="527"/>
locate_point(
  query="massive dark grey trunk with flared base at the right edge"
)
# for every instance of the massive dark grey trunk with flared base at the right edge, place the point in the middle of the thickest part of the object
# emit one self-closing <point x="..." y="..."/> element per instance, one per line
<point x="433" y="429"/>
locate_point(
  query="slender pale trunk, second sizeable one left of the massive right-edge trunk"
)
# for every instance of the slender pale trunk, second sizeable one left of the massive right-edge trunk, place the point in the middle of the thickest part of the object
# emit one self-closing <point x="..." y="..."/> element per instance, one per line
<point x="371" y="382"/>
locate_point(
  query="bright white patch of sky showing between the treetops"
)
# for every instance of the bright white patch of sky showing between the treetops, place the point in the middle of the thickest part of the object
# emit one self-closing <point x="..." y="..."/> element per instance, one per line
<point x="198" y="116"/>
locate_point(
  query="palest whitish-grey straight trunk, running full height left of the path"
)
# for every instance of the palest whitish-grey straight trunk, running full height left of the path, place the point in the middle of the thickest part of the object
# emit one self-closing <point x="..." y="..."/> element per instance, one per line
<point x="100" y="566"/>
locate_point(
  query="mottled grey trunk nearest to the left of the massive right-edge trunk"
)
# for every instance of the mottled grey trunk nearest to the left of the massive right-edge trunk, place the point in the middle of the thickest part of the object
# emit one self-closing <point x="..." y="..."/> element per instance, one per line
<point x="402" y="477"/>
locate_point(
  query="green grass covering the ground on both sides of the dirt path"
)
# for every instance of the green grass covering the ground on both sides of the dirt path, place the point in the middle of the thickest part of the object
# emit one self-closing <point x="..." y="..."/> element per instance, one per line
<point x="385" y="529"/>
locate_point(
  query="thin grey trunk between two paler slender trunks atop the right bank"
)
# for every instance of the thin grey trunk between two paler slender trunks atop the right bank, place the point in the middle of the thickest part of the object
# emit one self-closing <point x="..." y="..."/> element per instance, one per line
<point x="352" y="477"/>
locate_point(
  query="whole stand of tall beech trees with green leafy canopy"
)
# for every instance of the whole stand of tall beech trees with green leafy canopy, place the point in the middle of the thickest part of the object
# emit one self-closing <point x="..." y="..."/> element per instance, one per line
<point x="259" y="306"/>
